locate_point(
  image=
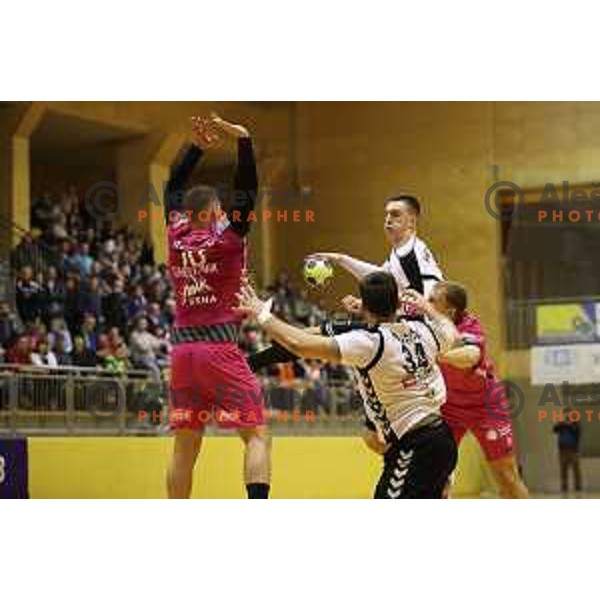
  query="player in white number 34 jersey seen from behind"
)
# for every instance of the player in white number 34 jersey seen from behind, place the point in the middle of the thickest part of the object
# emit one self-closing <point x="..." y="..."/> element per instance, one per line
<point x="401" y="384"/>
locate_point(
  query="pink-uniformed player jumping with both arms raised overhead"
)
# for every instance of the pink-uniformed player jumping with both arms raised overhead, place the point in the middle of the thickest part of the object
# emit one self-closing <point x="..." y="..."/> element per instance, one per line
<point x="210" y="379"/>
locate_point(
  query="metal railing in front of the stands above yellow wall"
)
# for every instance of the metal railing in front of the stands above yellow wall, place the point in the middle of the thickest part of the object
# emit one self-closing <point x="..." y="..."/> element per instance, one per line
<point x="86" y="401"/>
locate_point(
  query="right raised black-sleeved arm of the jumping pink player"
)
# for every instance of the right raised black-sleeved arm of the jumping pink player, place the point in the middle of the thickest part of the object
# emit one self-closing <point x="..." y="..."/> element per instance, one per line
<point x="245" y="186"/>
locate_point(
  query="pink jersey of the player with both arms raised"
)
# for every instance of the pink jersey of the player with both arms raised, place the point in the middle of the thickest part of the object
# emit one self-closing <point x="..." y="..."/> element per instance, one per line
<point x="205" y="266"/>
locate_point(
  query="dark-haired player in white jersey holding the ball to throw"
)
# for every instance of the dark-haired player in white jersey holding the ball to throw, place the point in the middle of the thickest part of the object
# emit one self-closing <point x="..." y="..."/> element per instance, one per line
<point x="410" y="261"/>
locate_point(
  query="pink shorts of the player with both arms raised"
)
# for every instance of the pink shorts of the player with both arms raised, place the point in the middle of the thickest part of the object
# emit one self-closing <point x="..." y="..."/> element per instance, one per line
<point x="211" y="381"/>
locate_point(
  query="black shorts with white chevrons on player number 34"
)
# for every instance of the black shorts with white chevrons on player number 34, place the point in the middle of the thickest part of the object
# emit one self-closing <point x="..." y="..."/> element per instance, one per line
<point x="419" y="464"/>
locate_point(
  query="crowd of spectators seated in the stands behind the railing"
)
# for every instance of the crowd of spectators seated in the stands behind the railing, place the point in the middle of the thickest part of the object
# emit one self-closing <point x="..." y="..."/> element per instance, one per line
<point x="91" y="295"/>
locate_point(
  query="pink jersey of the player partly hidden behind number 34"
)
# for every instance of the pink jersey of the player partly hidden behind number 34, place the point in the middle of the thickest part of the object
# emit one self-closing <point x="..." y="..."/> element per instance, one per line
<point x="468" y="387"/>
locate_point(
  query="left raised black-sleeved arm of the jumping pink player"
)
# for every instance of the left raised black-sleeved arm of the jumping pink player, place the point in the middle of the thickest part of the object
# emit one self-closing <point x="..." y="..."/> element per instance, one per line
<point x="203" y="137"/>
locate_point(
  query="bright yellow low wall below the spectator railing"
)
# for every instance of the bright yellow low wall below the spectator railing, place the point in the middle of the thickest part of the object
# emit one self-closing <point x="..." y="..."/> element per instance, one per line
<point x="135" y="467"/>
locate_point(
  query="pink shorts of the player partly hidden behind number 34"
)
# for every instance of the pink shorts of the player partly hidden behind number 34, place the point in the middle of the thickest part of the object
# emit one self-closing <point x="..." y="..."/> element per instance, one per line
<point x="495" y="435"/>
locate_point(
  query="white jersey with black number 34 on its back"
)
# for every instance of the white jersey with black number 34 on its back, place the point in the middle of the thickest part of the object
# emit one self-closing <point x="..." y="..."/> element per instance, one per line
<point x="398" y="376"/>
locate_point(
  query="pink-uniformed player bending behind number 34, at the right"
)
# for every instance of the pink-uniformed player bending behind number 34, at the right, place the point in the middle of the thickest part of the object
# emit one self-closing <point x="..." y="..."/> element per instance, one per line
<point x="470" y="376"/>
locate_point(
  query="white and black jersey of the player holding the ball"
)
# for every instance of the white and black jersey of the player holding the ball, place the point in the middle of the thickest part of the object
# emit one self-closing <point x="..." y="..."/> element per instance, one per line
<point x="413" y="266"/>
